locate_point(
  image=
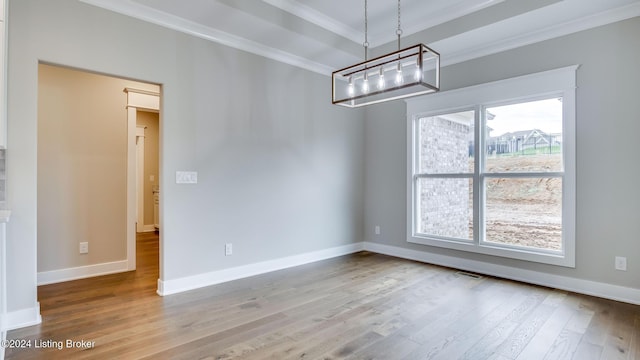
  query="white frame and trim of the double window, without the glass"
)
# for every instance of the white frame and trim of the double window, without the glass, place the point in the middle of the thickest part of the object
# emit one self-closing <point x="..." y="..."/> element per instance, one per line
<point x="553" y="83"/>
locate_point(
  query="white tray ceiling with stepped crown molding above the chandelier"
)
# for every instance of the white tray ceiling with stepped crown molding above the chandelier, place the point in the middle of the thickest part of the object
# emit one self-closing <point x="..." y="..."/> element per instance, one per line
<point x="323" y="35"/>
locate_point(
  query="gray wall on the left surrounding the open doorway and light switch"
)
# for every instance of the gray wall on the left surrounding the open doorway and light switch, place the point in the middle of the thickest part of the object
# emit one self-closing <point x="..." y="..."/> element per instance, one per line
<point x="279" y="168"/>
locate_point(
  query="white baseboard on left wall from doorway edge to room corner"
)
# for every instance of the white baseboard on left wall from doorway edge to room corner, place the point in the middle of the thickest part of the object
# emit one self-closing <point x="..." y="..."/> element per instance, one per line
<point x="169" y="287"/>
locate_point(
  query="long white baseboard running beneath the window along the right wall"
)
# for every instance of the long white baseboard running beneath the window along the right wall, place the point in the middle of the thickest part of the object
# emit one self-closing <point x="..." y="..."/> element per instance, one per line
<point x="587" y="287"/>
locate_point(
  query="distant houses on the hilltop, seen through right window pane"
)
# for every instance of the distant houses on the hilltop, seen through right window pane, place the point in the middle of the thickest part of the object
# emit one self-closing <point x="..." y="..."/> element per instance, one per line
<point x="532" y="141"/>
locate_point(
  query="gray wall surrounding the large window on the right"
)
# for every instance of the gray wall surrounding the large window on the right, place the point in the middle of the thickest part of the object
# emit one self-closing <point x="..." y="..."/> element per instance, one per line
<point x="608" y="121"/>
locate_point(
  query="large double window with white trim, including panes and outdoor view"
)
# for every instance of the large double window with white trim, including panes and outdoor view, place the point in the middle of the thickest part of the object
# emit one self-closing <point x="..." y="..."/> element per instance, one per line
<point x="492" y="168"/>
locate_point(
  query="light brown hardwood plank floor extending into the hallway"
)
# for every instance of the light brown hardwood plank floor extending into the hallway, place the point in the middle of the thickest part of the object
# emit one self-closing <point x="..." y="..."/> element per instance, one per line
<point x="362" y="306"/>
